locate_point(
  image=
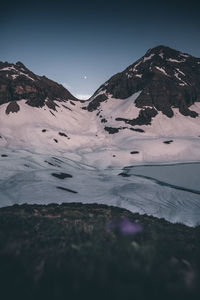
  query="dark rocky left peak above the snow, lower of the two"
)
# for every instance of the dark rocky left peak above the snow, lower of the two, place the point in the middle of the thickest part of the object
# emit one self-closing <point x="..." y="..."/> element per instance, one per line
<point x="17" y="82"/>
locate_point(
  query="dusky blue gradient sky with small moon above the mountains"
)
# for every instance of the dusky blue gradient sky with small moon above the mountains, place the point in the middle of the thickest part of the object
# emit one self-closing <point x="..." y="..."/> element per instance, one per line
<point x="81" y="44"/>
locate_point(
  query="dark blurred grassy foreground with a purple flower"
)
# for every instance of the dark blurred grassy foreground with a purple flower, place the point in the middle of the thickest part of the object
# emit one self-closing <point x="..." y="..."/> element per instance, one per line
<point x="76" y="251"/>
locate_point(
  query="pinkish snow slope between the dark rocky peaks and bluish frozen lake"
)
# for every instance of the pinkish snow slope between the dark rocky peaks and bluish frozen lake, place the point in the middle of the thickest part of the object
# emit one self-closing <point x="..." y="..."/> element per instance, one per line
<point x="73" y="132"/>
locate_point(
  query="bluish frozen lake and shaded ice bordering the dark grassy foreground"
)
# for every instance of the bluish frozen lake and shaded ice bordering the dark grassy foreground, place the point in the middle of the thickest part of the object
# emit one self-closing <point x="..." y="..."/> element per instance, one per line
<point x="165" y="191"/>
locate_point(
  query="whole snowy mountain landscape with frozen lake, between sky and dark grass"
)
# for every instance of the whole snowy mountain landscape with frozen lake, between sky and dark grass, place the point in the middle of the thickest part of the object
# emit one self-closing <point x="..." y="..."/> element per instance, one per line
<point x="55" y="148"/>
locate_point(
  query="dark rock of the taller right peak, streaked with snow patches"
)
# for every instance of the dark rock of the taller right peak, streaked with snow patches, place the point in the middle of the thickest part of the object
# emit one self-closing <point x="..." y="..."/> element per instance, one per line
<point x="166" y="78"/>
